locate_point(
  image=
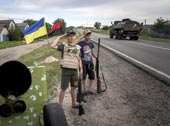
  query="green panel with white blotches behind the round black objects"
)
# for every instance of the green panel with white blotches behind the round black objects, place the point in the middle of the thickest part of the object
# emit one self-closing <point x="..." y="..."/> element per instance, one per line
<point x="35" y="98"/>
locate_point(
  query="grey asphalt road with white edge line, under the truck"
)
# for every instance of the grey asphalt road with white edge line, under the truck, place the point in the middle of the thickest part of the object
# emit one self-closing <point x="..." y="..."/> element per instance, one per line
<point x="154" y="55"/>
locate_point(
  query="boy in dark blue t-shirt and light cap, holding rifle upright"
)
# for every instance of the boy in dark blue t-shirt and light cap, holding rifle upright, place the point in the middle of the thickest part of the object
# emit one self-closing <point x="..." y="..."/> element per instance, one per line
<point x="87" y="53"/>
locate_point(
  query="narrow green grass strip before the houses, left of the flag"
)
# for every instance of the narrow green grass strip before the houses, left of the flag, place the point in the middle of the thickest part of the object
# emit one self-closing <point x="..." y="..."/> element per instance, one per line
<point x="9" y="44"/>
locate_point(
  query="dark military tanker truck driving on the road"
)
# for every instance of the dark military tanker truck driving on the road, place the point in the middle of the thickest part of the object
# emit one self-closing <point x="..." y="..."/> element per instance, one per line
<point x="125" y="28"/>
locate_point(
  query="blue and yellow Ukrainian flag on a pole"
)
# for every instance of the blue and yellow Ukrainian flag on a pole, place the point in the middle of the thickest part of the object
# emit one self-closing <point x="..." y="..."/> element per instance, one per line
<point x="34" y="31"/>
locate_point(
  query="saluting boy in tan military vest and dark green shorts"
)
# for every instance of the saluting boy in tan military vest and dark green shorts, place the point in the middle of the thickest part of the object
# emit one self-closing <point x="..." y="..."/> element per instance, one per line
<point x="70" y="64"/>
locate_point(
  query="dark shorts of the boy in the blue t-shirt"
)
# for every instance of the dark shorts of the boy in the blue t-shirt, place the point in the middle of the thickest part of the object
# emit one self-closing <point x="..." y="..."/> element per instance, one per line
<point x="88" y="69"/>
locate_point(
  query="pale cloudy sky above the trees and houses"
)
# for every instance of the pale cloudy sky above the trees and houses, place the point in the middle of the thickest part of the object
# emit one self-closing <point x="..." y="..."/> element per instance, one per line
<point x="85" y="12"/>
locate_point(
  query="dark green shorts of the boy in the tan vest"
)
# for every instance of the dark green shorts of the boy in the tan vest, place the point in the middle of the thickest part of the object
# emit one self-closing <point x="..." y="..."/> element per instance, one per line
<point x="69" y="76"/>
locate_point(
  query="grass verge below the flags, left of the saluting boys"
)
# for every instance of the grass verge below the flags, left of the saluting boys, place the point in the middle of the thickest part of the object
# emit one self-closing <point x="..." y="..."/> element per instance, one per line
<point x="52" y="69"/>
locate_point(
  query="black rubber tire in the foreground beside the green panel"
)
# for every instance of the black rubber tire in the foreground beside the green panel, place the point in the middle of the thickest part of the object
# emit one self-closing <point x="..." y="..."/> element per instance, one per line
<point x="53" y="115"/>
